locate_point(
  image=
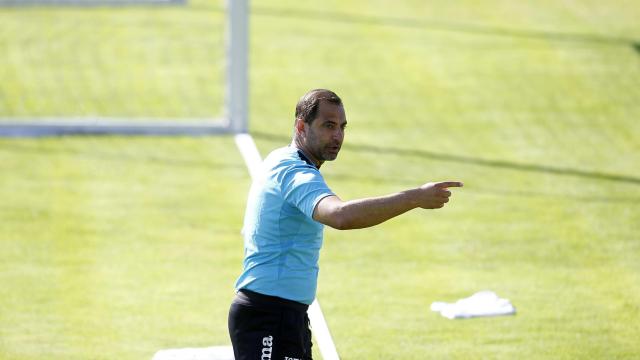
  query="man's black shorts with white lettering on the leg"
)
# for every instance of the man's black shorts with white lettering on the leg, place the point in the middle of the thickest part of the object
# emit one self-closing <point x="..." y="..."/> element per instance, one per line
<point x="265" y="327"/>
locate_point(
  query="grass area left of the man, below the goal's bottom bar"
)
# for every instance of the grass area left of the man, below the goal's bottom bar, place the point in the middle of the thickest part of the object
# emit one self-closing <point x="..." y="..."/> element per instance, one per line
<point x="113" y="248"/>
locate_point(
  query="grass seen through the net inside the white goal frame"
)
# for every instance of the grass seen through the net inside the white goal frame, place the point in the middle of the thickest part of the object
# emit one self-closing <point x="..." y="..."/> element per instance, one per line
<point x="162" y="62"/>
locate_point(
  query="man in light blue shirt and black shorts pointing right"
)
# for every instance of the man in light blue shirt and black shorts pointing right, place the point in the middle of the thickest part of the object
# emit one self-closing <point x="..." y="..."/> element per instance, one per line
<point x="288" y="205"/>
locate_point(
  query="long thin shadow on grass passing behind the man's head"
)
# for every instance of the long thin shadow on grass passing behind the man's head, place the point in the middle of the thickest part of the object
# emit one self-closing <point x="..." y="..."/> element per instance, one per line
<point x="387" y="150"/>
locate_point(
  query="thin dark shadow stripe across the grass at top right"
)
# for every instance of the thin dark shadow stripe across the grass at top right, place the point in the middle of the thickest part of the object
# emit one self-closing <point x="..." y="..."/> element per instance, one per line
<point x="339" y="17"/>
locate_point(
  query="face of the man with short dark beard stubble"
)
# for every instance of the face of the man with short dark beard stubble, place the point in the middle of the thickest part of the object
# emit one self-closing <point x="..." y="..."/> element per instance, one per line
<point x="324" y="136"/>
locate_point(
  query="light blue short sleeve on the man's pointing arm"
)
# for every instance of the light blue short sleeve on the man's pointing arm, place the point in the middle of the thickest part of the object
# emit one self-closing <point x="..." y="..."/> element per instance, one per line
<point x="304" y="187"/>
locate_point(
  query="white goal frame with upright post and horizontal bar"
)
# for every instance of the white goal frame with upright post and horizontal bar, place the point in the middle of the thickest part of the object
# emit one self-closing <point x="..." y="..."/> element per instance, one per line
<point x="236" y="113"/>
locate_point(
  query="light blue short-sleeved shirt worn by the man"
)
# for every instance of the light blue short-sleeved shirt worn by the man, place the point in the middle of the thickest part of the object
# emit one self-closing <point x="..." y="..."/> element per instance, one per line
<point x="281" y="240"/>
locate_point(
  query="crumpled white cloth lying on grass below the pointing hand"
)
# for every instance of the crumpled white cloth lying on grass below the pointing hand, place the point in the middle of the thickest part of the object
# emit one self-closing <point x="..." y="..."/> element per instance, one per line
<point x="483" y="303"/>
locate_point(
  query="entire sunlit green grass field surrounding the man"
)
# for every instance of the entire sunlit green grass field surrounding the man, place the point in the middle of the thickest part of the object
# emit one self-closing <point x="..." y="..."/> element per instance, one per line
<point x="115" y="247"/>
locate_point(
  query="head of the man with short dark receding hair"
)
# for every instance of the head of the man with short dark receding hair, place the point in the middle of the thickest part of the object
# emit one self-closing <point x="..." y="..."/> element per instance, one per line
<point x="319" y="126"/>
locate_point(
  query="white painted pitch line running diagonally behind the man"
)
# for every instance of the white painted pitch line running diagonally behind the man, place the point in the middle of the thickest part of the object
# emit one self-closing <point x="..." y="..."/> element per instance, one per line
<point x="252" y="158"/>
